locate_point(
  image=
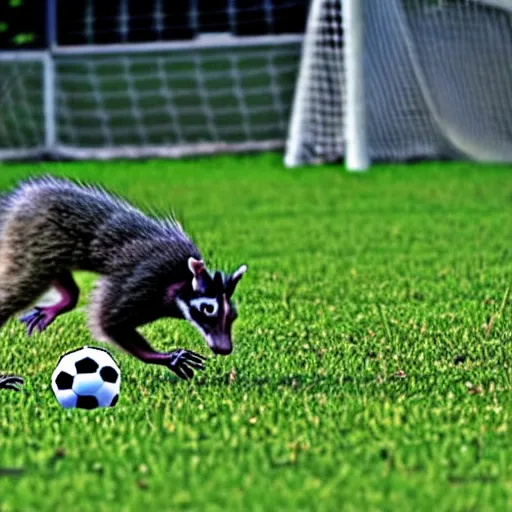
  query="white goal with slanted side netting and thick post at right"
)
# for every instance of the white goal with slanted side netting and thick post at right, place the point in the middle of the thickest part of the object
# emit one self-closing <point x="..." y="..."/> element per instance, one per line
<point x="403" y="79"/>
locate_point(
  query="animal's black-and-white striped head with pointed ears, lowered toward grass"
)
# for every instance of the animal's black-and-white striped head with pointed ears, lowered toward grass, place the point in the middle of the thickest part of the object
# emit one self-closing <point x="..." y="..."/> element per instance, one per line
<point x="207" y="304"/>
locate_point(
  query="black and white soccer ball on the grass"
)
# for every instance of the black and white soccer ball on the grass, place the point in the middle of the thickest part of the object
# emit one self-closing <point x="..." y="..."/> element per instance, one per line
<point x="86" y="378"/>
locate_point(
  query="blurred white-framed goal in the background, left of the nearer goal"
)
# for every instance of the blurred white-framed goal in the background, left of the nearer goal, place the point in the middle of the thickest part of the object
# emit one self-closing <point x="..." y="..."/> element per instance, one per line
<point x="154" y="79"/>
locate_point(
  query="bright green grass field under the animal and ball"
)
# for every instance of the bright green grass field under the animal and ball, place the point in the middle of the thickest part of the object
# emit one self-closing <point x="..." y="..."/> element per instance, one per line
<point x="366" y="375"/>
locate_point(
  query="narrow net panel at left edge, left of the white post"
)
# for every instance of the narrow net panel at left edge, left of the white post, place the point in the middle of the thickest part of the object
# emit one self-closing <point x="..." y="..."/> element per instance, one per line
<point x="22" y="129"/>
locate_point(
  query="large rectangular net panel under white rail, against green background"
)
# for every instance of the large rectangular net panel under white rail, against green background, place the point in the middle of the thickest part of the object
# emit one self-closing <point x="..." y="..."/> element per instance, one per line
<point x="174" y="103"/>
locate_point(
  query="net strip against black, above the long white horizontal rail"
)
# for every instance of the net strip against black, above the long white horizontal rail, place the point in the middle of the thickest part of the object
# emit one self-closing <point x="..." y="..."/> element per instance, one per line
<point x="84" y="22"/>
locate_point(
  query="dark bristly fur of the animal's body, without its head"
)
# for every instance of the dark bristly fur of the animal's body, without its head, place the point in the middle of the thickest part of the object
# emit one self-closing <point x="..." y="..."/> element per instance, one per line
<point x="50" y="227"/>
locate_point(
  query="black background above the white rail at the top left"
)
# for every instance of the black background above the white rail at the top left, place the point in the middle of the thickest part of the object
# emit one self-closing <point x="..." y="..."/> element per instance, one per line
<point x="22" y="22"/>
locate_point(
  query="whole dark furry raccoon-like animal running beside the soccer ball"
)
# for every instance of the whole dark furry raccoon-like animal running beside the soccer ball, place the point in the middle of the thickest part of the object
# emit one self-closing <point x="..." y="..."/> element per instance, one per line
<point x="149" y="269"/>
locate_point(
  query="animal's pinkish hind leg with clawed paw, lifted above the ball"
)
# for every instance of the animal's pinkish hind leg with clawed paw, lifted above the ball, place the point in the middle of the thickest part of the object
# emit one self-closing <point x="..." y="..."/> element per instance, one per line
<point x="41" y="317"/>
